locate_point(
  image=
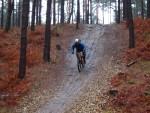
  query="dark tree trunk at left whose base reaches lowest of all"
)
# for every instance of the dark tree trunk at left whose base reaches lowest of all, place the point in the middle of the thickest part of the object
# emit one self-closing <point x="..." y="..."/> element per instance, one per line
<point x="23" y="47"/>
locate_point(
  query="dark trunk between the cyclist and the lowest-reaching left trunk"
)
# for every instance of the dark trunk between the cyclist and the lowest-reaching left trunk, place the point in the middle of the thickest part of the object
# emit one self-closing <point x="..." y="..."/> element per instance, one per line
<point x="47" y="41"/>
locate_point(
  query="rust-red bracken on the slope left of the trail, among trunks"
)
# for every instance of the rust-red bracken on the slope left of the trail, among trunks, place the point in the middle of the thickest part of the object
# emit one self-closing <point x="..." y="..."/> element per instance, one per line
<point x="11" y="89"/>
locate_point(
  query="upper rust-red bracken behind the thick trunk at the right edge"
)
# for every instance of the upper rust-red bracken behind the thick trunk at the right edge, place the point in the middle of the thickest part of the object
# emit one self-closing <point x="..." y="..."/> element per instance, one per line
<point x="142" y="49"/>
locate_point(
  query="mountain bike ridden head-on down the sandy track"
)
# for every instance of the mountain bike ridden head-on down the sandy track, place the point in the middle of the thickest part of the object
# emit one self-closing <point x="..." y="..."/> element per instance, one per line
<point x="80" y="61"/>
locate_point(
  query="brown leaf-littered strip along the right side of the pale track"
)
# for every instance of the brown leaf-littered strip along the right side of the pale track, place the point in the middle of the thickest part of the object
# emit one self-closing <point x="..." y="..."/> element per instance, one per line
<point x="108" y="62"/>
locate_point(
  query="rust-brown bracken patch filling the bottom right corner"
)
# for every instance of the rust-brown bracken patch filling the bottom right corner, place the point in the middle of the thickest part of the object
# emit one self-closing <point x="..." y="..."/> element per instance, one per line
<point x="133" y="93"/>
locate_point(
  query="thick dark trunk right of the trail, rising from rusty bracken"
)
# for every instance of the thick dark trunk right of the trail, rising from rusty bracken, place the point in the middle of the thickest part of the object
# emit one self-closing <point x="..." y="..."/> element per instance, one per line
<point x="131" y="25"/>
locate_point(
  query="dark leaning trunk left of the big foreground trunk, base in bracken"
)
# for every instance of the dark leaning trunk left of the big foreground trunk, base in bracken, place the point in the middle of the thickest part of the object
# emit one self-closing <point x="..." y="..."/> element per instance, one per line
<point x="9" y="12"/>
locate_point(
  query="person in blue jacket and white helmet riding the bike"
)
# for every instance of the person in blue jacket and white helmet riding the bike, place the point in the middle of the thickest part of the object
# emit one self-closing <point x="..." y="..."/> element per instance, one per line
<point x="79" y="48"/>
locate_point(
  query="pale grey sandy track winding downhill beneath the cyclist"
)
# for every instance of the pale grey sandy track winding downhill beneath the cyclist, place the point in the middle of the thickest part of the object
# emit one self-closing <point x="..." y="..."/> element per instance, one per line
<point x="74" y="81"/>
